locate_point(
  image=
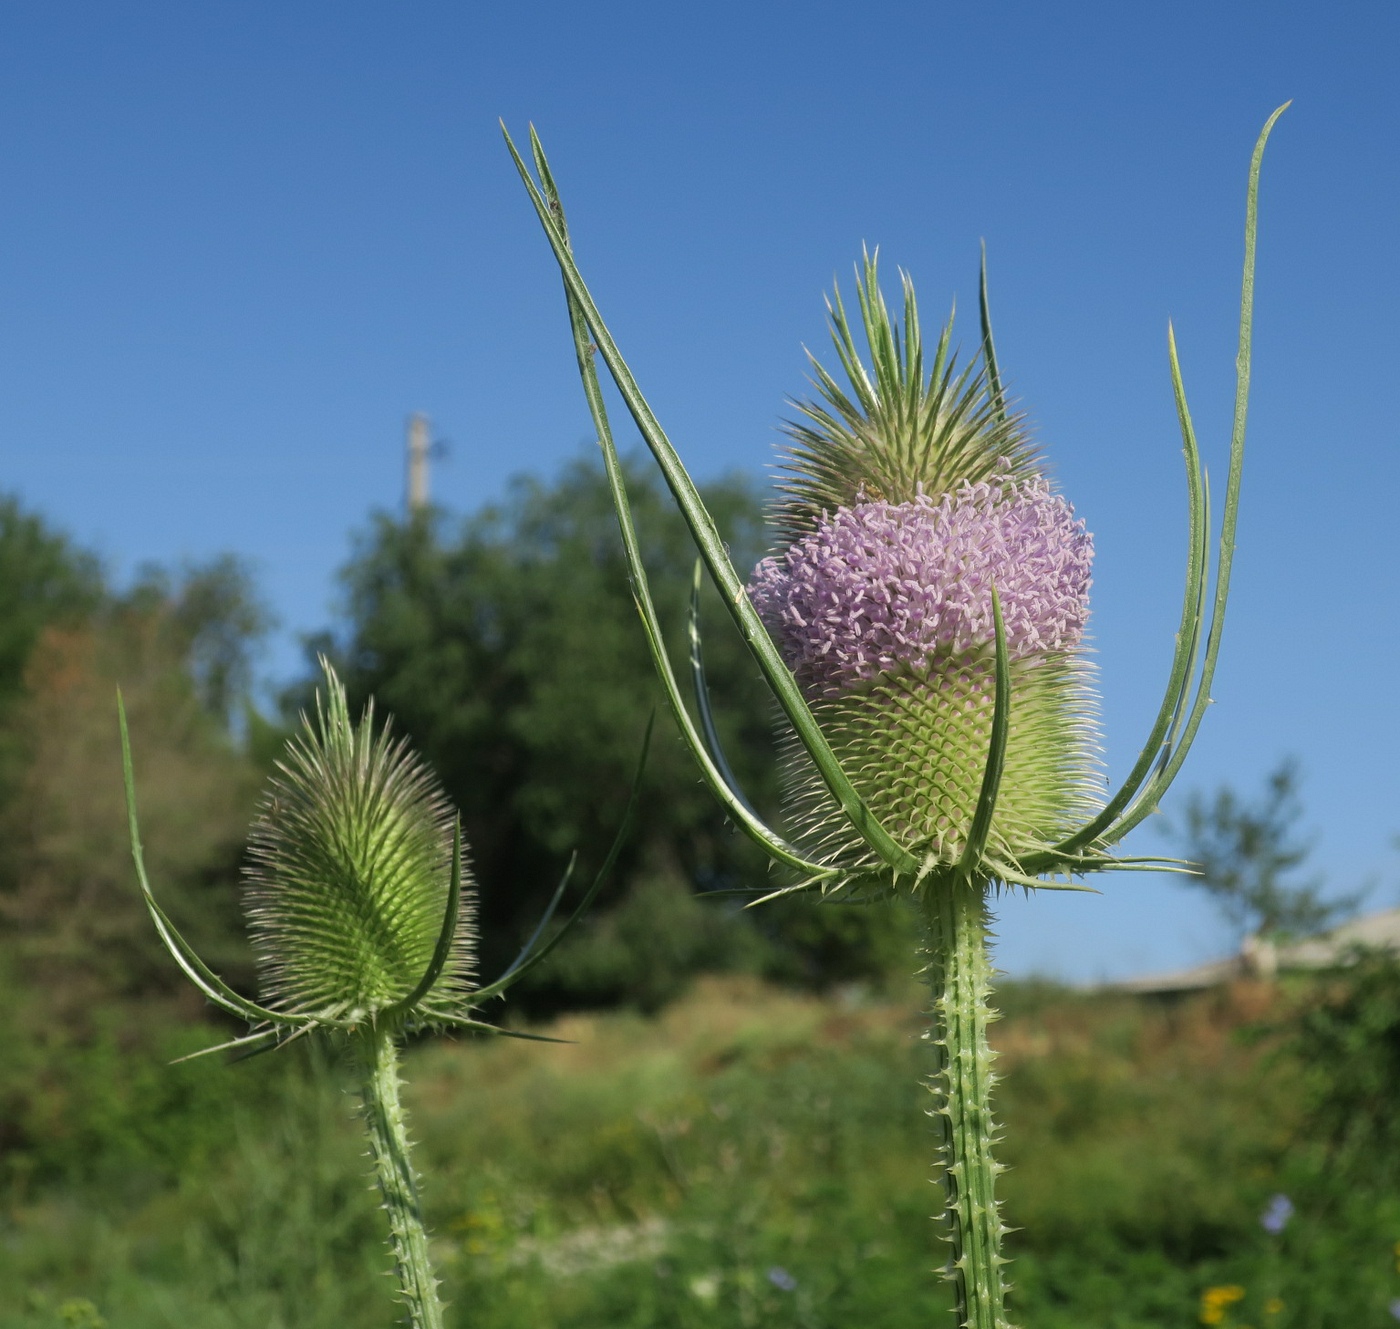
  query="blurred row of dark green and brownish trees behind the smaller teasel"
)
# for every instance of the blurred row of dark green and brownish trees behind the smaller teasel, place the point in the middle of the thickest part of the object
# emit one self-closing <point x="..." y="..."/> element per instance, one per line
<point x="505" y="645"/>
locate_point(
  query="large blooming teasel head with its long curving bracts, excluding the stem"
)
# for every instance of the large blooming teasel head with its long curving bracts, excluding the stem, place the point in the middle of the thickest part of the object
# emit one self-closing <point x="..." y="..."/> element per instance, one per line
<point x="925" y="446"/>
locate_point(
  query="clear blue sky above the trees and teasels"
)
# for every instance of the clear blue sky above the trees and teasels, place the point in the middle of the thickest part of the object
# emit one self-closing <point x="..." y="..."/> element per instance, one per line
<point x="240" y="242"/>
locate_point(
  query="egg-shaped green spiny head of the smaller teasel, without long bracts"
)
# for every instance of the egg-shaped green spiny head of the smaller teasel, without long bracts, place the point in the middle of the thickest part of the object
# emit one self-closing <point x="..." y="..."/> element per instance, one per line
<point x="349" y="882"/>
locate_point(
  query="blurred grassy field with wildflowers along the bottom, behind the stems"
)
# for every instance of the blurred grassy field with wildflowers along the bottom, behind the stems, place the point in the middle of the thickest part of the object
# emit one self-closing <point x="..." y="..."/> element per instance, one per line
<point x="747" y="1157"/>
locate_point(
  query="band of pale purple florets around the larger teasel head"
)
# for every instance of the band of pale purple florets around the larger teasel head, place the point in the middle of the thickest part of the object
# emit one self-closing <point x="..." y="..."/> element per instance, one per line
<point x="885" y="585"/>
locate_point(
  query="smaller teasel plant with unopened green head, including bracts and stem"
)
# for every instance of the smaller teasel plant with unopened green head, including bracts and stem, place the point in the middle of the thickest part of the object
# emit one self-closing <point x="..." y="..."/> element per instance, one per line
<point x="362" y="914"/>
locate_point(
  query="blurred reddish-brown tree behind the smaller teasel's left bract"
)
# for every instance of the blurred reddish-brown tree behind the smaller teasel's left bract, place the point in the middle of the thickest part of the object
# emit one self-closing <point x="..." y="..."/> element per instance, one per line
<point x="72" y="924"/>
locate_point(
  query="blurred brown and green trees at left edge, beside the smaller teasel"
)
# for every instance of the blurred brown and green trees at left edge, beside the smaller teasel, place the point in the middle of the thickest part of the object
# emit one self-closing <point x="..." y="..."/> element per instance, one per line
<point x="73" y="936"/>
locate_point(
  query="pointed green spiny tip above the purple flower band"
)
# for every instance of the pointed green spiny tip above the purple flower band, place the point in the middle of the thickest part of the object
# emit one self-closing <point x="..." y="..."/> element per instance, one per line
<point x="899" y="429"/>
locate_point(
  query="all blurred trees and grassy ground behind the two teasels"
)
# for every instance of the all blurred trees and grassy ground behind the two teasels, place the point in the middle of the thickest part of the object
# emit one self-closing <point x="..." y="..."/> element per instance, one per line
<point x="734" y="1136"/>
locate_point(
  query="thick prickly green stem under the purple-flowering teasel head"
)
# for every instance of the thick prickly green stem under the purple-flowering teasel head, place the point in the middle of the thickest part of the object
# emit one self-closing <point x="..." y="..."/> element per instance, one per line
<point x="960" y="975"/>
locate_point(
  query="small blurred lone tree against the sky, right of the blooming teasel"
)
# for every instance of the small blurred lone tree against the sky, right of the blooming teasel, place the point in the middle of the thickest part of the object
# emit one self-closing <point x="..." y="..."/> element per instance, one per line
<point x="1247" y="855"/>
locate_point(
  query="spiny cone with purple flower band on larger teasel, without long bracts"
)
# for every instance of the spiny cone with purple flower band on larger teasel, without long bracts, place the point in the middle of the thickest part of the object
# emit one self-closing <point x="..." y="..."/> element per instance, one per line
<point x="905" y="502"/>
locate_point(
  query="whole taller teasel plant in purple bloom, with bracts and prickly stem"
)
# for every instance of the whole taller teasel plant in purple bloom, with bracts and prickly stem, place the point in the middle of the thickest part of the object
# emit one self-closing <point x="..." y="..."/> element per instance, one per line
<point x="922" y="631"/>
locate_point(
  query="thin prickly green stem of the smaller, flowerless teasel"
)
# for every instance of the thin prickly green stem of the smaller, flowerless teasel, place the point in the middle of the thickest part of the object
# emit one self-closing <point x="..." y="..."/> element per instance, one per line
<point x="394" y="1170"/>
